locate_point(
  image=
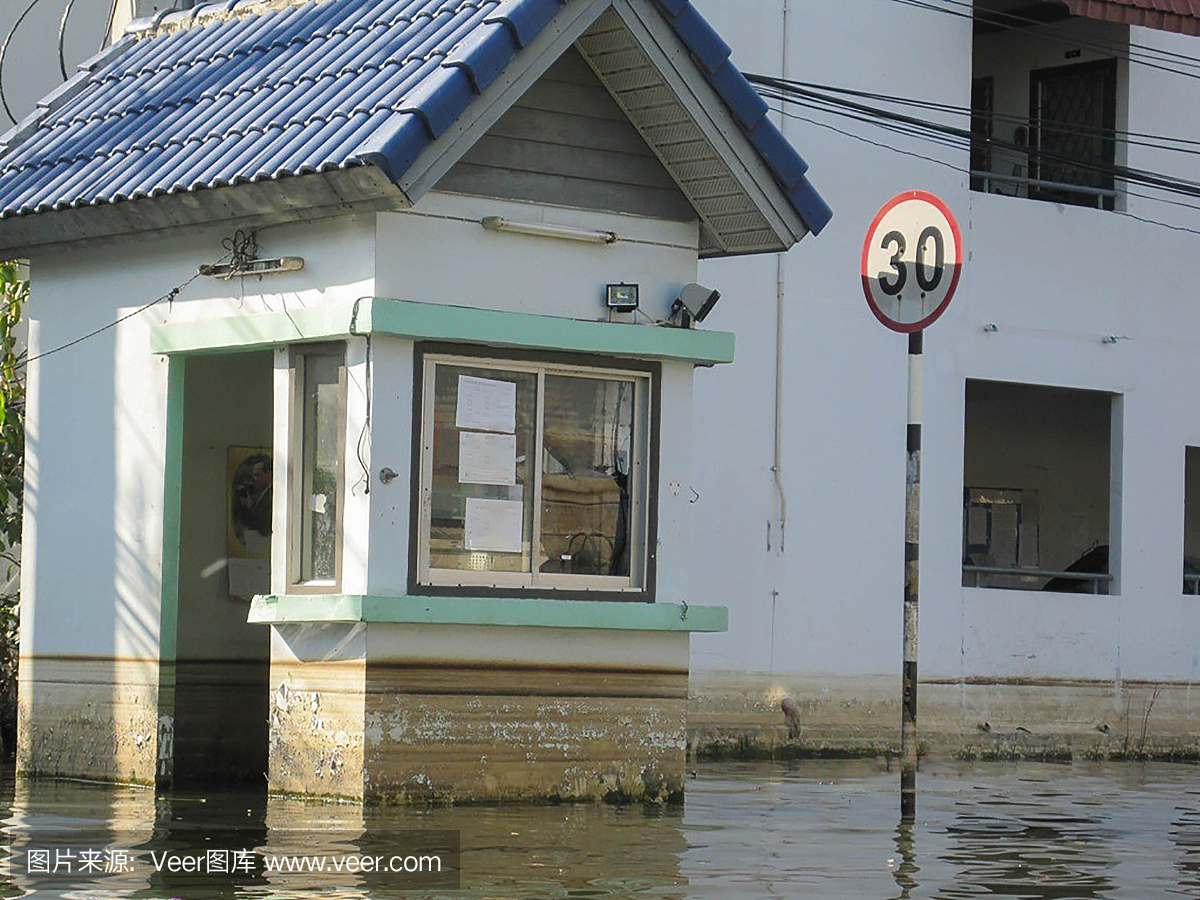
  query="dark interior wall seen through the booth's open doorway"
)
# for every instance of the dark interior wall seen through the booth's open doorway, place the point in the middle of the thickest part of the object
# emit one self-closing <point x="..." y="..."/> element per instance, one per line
<point x="223" y="664"/>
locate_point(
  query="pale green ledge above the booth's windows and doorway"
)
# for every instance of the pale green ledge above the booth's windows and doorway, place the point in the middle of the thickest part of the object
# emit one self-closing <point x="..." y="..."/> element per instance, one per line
<point x="439" y="322"/>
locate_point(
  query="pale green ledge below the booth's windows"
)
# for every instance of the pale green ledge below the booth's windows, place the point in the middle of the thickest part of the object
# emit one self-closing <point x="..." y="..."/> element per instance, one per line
<point x="489" y="611"/>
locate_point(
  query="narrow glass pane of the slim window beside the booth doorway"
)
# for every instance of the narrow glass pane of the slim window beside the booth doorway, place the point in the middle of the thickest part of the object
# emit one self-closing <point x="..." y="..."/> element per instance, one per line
<point x="321" y="469"/>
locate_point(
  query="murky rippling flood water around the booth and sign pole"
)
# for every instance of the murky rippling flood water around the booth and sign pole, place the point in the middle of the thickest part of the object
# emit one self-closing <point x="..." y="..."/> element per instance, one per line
<point x="805" y="830"/>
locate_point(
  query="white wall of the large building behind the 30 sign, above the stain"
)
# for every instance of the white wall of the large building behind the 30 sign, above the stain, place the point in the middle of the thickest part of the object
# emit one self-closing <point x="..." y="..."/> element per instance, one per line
<point x="1055" y="281"/>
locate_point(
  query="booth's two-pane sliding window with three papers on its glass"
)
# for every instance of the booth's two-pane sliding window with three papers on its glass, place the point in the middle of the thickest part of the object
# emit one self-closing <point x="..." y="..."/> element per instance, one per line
<point x="533" y="476"/>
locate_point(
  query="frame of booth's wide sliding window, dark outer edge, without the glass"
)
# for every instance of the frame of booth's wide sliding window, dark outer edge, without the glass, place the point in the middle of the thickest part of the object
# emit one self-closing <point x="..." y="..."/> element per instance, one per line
<point x="644" y="536"/>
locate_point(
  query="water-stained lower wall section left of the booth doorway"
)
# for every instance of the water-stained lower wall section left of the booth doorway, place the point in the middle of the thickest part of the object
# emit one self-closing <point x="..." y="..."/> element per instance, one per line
<point x="89" y="718"/>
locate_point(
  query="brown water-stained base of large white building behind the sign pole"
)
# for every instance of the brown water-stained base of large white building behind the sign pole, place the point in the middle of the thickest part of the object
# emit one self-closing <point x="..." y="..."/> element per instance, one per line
<point x="737" y="716"/>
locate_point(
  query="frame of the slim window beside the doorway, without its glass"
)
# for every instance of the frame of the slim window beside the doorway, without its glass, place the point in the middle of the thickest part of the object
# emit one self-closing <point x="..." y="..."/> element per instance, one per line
<point x="298" y="357"/>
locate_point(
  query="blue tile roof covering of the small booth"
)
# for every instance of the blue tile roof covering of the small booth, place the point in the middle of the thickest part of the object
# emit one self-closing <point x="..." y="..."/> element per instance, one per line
<point x="239" y="92"/>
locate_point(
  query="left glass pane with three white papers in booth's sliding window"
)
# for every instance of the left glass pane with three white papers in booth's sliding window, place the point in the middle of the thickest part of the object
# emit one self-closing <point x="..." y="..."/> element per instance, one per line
<point x="482" y="497"/>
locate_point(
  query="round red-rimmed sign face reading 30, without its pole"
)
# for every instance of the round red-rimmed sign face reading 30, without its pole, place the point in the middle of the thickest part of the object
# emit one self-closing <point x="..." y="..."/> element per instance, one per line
<point x="911" y="261"/>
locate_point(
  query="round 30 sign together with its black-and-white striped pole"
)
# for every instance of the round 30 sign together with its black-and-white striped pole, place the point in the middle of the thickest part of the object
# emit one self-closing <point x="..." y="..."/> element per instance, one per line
<point x="913" y="259"/>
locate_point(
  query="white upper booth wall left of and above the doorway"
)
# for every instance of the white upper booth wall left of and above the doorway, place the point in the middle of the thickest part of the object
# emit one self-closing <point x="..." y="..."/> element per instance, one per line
<point x="92" y="460"/>
